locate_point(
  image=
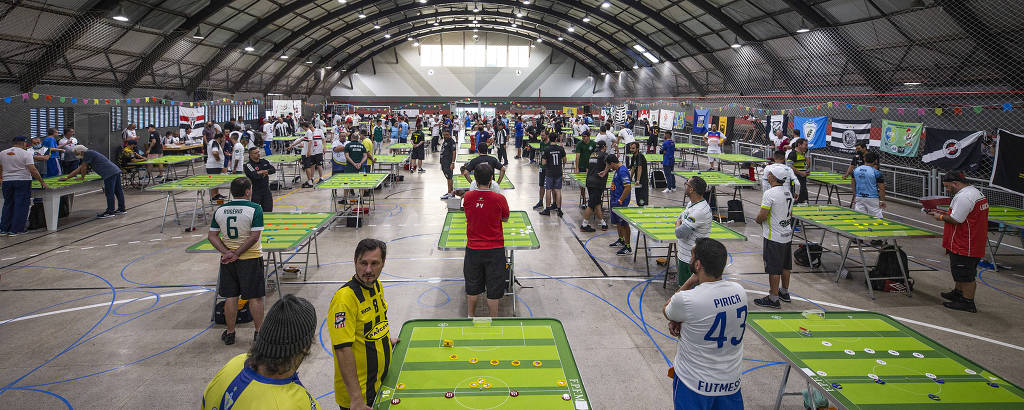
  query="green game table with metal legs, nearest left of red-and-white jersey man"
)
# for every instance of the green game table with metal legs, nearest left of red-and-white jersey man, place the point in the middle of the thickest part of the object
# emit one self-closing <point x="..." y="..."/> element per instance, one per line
<point x="856" y="228"/>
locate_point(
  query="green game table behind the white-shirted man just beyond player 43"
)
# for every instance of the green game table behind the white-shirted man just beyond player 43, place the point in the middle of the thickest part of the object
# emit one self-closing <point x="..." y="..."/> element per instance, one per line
<point x="659" y="226"/>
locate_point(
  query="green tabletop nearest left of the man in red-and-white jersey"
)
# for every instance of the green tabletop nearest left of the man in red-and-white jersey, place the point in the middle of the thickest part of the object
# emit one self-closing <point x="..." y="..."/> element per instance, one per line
<point x="860" y="226"/>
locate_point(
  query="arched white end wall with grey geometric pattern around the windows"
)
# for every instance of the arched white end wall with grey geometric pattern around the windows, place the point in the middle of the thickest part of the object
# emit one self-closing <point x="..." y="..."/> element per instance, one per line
<point x="552" y="78"/>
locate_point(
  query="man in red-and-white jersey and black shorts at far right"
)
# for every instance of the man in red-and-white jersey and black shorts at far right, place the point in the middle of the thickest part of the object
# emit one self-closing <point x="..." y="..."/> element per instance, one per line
<point x="964" y="236"/>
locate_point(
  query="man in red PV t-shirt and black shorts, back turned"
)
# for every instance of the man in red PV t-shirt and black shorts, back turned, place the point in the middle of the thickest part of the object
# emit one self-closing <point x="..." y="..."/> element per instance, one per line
<point x="484" y="266"/>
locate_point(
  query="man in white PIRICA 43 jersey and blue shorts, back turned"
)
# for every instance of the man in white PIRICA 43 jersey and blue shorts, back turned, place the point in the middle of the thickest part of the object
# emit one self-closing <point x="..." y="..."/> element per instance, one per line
<point x="710" y="321"/>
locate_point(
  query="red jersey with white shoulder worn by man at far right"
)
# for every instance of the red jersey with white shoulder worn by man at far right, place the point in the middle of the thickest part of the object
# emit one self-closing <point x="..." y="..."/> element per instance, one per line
<point x="970" y="237"/>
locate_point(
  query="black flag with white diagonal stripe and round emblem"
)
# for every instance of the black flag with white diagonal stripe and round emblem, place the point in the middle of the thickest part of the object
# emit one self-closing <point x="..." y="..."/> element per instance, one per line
<point x="953" y="150"/>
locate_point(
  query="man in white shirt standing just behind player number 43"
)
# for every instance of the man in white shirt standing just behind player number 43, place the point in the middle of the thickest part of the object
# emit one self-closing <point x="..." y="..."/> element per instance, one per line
<point x="695" y="223"/>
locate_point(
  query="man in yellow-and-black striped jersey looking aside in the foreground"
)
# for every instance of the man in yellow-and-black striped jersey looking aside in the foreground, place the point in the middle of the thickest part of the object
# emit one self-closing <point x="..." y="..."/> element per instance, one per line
<point x="360" y="333"/>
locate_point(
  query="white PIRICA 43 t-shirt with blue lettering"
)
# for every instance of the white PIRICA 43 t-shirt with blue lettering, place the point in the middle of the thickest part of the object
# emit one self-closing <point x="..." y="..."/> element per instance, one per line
<point x="710" y="352"/>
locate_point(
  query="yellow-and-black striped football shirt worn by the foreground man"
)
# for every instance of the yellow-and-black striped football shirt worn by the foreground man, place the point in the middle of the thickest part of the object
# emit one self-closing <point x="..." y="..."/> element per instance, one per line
<point x="360" y="321"/>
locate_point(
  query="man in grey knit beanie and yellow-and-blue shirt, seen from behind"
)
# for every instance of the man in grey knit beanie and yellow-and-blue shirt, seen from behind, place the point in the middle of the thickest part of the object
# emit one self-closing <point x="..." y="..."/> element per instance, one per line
<point x="268" y="377"/>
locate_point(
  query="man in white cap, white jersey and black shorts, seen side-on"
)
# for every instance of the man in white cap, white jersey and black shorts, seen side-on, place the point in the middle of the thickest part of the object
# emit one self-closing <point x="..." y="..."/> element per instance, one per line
<point x="777" y="229"/>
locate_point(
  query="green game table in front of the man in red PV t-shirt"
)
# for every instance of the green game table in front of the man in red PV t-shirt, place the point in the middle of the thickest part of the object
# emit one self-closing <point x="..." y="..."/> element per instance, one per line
<point x="519" y="232"/>
